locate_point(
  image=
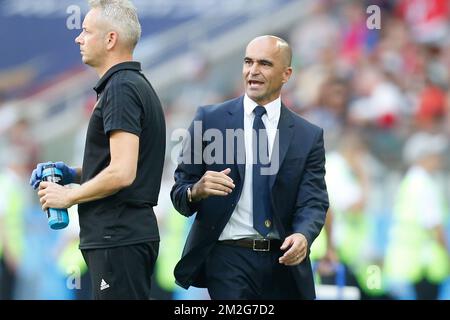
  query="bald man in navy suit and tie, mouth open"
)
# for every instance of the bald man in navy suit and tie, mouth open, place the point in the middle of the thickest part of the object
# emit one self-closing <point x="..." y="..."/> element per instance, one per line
<point x="255" y="219"/>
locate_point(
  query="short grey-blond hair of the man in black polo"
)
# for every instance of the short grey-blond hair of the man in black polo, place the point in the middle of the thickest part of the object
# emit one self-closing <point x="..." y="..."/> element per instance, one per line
<point x="122" y="16"/>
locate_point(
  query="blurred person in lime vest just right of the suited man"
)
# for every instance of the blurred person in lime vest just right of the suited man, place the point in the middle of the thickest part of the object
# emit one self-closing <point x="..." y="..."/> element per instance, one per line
<point x="349" y="184"/>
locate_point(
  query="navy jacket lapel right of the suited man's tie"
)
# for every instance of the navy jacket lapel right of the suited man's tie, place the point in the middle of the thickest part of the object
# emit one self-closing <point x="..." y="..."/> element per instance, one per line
<point x="282" y="141"/>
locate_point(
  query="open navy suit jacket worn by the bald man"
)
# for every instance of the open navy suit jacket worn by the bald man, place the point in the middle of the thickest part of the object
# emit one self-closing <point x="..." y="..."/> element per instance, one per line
<point x="298" y="191"/>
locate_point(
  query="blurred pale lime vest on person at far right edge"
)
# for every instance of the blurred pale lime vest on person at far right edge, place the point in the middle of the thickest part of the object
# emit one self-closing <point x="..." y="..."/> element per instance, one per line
<point x="413" y="253"/>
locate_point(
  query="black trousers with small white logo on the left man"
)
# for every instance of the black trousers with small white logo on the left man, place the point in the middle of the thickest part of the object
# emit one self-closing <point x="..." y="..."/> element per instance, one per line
<point x="122" y="272"/>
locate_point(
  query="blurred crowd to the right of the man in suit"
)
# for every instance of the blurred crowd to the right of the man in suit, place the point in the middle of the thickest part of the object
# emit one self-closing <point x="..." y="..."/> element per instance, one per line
<point x="382" y="97"/>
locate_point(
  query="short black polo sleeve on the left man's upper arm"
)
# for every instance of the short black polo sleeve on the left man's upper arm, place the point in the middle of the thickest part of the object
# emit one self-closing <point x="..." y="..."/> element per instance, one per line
<point x="123" y="108"/>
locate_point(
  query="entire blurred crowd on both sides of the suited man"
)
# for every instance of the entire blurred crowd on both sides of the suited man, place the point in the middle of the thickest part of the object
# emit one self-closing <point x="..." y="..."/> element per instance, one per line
<point x="382" y="97"/>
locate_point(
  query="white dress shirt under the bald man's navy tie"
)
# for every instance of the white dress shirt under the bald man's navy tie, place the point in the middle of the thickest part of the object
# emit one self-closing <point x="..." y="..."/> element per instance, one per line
<point x="240" y="224"/>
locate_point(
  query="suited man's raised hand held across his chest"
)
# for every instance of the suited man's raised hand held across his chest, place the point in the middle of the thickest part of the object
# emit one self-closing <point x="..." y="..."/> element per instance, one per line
<point x="213" y="183"/>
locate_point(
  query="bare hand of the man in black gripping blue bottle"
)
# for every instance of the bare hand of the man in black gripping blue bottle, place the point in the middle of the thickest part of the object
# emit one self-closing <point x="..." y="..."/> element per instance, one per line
<point x="52" y="195"/>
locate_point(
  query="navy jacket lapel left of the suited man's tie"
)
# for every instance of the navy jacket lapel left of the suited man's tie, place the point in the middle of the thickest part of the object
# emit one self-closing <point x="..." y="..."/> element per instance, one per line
<point x="236" y="121"/>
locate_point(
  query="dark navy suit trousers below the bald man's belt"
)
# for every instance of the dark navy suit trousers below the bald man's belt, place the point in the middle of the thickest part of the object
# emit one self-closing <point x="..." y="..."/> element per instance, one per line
<point x="236" y="273"/>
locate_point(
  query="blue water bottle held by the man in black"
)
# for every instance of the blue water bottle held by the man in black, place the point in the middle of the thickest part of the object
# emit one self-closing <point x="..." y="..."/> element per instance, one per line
<point x="57" y="218"/>
